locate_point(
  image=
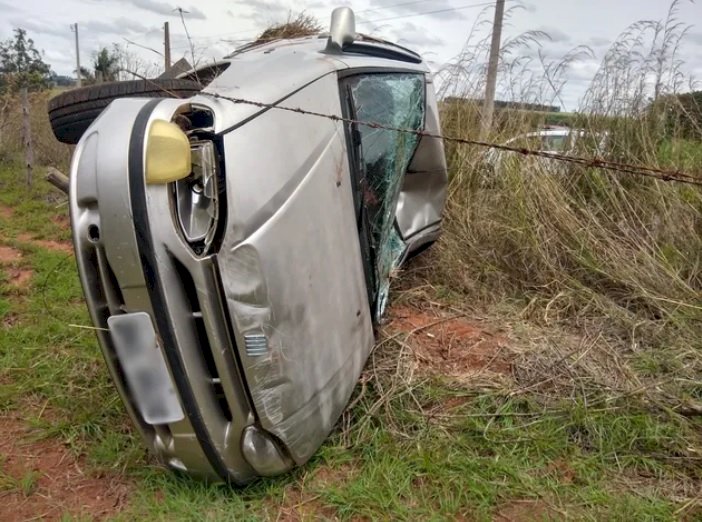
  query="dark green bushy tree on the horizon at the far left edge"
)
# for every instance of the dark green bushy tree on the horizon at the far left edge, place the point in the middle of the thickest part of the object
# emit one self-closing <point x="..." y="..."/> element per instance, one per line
<point x="21" y="65"/>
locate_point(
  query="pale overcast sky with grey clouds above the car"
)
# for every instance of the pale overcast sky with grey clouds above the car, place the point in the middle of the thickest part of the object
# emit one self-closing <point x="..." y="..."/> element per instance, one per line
<point x="436" y="28"/>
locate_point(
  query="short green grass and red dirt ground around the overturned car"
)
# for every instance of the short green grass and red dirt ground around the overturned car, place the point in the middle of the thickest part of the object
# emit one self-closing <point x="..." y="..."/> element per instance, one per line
<point x="467" y="410"/>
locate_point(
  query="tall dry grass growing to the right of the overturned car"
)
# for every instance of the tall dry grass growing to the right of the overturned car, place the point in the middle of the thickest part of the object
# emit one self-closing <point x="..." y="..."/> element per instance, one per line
<point x="595" y="252"/>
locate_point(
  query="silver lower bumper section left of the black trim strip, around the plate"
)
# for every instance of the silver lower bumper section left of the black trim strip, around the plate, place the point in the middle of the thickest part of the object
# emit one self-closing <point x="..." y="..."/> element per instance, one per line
<point x="107" y="255"/>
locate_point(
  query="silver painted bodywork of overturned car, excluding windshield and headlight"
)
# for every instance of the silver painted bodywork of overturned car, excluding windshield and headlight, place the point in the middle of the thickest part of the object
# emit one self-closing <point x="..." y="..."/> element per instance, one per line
<point x="265" y="338"/>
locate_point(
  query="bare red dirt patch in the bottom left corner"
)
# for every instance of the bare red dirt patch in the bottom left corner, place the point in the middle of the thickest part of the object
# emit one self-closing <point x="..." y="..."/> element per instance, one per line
<point x="53" y="481"/>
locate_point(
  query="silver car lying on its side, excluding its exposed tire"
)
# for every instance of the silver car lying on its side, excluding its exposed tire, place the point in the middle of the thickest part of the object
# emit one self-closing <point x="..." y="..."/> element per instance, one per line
<point x="236" y="256"/>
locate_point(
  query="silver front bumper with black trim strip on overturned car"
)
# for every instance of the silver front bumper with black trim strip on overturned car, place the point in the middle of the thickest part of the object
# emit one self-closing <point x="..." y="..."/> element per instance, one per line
<point x="129" y="254"/>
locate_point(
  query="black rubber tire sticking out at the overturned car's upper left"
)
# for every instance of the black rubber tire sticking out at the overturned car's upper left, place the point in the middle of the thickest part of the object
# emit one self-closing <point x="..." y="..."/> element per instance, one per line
<point x="72" y="112"/>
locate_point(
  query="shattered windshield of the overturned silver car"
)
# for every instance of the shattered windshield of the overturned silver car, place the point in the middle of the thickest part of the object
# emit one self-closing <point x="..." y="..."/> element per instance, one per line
<point x="380" y="160"/>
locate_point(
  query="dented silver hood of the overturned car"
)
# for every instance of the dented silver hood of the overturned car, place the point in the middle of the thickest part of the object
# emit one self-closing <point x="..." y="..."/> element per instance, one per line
<point x="290" y="220"/>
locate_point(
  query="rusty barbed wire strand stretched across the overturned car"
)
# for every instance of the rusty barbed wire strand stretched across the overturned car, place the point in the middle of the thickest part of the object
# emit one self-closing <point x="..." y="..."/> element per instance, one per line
<point x="596" y="162"/>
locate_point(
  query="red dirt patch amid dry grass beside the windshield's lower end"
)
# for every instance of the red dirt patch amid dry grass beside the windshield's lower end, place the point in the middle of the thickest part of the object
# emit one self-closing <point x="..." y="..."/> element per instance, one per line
<point x="451" y="346"/>
